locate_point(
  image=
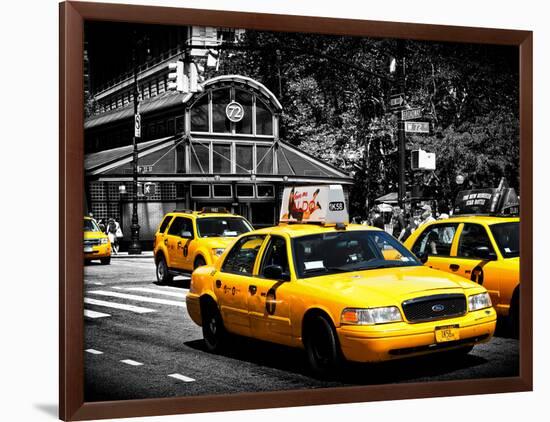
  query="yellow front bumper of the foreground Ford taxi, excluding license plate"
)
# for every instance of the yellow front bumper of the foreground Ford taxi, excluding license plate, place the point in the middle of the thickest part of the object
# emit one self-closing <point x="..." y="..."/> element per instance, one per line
<point x="399" y="340"/>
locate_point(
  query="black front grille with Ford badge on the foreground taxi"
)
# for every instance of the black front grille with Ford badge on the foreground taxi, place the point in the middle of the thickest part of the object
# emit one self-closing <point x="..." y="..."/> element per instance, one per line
<point x="429" y="308"/>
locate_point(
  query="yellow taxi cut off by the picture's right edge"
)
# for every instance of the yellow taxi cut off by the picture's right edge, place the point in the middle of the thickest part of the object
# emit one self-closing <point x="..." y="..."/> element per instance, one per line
<point x="482" y="248"/>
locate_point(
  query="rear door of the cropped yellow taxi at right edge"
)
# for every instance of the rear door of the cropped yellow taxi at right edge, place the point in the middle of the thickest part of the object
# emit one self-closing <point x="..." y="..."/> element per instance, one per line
<point x="437" y="241"/>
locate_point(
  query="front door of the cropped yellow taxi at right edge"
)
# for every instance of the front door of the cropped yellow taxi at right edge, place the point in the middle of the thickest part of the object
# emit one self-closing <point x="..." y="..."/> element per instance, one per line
<point x="476" y="259"/>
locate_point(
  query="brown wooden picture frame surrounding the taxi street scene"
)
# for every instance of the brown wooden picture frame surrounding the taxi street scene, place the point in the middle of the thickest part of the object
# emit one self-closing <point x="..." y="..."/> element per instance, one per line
<point x="71" y="340"/>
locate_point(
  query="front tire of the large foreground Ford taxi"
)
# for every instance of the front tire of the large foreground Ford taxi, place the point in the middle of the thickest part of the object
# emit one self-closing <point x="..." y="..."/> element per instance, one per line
<point x="322" y="347"/>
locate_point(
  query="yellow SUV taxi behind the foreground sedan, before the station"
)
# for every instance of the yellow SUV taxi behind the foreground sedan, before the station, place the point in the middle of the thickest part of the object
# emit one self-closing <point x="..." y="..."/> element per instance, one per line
<point x="187" y="239"/>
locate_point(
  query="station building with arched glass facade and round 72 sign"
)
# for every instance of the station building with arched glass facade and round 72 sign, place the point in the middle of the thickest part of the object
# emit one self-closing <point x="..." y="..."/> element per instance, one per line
<point x="217" y="147"/>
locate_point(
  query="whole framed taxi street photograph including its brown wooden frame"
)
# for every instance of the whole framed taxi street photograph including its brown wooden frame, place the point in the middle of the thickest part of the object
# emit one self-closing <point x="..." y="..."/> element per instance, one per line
<point x="267" y="210"/>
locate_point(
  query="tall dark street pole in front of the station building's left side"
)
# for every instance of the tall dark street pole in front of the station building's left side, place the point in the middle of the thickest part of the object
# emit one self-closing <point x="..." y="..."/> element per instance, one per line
<point x="135" y="246"/>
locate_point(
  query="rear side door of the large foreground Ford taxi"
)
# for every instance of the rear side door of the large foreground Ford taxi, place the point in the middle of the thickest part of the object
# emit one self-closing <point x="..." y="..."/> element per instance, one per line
<point x="233" y="281"/>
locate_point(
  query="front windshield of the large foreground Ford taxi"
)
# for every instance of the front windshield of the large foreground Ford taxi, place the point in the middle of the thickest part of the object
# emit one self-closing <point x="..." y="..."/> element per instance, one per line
<point x="345" y="251"/>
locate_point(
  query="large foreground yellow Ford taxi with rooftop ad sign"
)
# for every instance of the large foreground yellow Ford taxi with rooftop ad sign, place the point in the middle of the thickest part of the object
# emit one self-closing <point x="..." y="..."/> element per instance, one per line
<point x="340" y="291"/>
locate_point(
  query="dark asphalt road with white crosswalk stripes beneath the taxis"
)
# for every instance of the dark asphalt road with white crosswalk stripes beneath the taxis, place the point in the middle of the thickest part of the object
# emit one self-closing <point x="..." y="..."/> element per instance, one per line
<point x="140" y="343"/>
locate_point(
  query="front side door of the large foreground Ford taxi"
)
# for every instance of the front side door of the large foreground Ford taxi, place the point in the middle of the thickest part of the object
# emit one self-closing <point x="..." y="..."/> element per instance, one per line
<point x="269" y="295"/>
